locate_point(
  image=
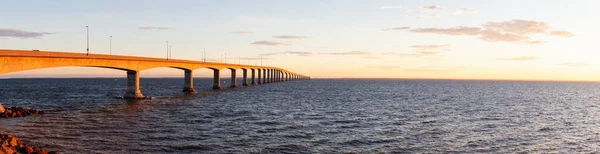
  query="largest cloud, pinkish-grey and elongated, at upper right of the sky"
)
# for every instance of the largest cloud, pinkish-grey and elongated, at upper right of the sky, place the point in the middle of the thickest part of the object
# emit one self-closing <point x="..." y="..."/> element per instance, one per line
<point x="514" y="31"/>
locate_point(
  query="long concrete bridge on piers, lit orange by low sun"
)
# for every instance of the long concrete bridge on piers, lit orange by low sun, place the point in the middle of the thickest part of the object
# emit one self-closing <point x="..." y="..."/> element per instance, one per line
<point x="21" y="60"/>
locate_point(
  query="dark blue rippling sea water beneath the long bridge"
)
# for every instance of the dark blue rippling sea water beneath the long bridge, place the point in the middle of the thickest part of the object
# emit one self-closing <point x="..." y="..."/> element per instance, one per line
<point x="314" y="116"/>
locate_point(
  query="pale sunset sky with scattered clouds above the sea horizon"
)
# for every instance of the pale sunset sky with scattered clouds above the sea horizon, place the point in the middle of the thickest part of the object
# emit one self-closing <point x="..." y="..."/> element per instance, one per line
<point x="425" y="39"/>
